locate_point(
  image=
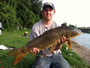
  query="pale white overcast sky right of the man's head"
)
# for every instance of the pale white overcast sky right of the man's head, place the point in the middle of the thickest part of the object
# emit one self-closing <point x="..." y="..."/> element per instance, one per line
<point x="75" y="12"/>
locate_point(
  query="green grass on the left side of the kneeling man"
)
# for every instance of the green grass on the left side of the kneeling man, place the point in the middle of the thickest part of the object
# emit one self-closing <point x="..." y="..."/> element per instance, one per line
<point x="17" y="40"/>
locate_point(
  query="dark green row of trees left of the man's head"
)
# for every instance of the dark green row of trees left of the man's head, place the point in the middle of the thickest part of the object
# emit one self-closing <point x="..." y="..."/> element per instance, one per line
<point x="19" y="14"/>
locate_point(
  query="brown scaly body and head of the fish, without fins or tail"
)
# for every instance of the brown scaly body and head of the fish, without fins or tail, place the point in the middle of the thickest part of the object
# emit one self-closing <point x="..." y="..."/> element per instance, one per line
<point x="51" y="37"/>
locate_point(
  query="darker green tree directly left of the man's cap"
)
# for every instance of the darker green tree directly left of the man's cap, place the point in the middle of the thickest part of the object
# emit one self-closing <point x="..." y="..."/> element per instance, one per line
<point x="29" y="11"/>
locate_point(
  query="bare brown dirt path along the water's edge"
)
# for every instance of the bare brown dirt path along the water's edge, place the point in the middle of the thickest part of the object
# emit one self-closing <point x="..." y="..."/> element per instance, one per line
<point x="81" y="51"/>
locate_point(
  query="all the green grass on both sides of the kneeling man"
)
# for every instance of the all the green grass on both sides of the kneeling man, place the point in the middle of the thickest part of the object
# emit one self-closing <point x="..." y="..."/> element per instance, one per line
<point x="17" y="40"/>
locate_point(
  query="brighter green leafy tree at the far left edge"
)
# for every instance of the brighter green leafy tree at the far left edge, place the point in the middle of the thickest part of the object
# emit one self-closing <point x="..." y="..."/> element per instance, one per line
<point x="8" y="16"/>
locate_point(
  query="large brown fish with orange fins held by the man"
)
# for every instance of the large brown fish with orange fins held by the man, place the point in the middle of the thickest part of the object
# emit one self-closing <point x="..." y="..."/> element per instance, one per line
<point x="46" y="40"/>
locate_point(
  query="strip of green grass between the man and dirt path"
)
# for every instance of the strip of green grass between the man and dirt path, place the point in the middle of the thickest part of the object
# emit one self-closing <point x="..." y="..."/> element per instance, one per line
<point x="74" y="60"/>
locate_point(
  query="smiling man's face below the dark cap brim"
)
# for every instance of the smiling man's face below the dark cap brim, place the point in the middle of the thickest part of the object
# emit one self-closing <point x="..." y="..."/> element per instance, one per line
<point x="48" y="13"/>
